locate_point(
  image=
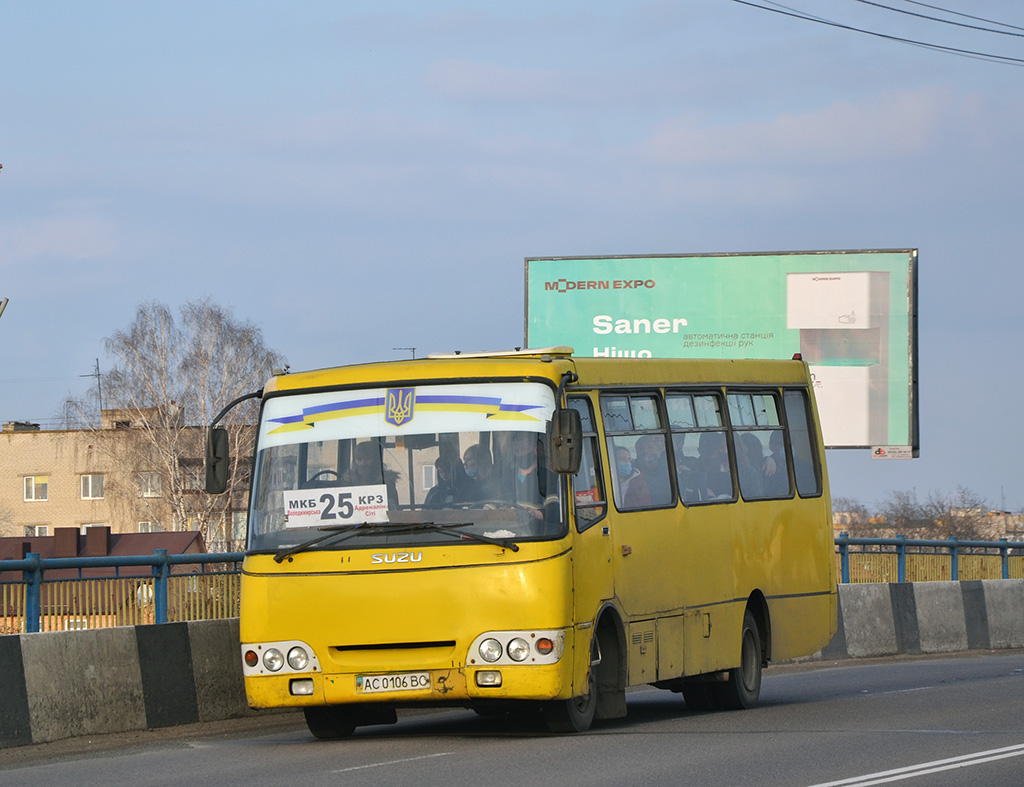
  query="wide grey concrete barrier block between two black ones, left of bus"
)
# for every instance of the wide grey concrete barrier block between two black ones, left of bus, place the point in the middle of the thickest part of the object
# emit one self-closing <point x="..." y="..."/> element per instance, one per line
<point x="83" y="683"/>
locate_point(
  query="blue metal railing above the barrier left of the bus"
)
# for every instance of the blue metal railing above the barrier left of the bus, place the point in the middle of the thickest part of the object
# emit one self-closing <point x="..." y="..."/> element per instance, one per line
<point x="33" y="569"/>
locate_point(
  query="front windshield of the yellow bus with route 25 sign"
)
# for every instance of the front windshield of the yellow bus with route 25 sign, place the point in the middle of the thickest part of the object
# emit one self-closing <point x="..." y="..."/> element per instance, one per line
<point x="417" y="465"/>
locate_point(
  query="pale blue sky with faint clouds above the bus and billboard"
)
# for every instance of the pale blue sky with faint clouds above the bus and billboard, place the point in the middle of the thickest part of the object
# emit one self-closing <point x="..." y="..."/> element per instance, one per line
<point x="359" y="178"/>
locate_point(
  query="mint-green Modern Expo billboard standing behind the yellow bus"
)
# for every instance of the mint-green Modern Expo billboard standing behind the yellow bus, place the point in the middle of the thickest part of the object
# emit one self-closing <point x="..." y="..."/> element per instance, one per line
<point x="852" y="315"/>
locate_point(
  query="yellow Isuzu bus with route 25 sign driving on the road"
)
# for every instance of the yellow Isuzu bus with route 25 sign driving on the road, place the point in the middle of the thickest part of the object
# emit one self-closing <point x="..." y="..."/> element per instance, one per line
<point x="531" y="532"/>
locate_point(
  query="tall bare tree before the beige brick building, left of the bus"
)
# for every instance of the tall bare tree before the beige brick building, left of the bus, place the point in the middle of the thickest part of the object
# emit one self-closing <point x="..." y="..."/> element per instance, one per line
<point x="168" y="380"/>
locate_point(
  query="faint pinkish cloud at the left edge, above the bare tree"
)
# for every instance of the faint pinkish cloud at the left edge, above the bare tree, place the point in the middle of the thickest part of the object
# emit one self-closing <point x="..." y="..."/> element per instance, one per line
<point x="75" y="238"/>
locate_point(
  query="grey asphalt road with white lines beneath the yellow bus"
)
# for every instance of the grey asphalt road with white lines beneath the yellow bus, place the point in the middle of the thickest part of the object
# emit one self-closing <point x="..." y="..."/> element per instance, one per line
<point x="935" y="722"/>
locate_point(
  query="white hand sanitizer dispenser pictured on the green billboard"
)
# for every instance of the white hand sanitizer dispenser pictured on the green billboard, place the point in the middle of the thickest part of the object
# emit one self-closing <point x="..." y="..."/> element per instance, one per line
<point x="843" y="319"/>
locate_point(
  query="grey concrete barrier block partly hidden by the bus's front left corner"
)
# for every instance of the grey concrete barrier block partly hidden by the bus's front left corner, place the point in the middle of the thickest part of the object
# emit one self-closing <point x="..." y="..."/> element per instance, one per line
<point x="218" y="664"/>
